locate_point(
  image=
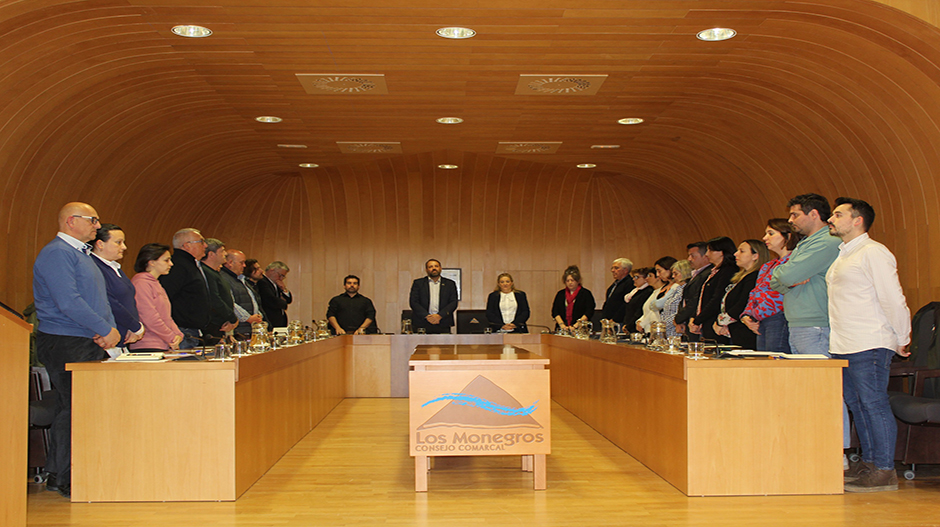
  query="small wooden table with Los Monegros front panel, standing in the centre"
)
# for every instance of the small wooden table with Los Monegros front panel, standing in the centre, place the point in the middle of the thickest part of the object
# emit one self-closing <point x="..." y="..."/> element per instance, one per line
<point x="479" y="400"/>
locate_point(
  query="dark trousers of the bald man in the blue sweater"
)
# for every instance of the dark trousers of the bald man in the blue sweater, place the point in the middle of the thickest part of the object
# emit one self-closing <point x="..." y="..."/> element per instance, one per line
<point x="55" y="351"/>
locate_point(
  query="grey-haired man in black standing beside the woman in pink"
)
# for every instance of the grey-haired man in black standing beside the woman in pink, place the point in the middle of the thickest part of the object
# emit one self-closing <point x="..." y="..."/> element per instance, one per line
<point x="186" y="286"/>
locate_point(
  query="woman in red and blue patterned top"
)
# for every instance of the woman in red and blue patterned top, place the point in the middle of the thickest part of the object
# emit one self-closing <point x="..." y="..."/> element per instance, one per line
<point x="764" y="312"/>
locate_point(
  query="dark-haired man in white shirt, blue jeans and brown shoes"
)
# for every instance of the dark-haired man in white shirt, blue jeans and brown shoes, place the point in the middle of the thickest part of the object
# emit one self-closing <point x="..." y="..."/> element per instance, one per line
<point x="869" y="322"/>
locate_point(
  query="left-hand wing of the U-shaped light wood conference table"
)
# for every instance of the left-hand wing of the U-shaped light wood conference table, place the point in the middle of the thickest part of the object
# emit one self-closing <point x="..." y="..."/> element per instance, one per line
<point x="196" y="431"/>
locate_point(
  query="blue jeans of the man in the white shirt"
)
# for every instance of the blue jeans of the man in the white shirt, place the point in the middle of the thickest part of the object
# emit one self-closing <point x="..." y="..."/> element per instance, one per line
<point x="865" y="389"/>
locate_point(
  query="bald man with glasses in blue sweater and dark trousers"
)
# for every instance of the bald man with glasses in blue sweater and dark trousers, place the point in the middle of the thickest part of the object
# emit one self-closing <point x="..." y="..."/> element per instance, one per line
<point x="75" y="323"/>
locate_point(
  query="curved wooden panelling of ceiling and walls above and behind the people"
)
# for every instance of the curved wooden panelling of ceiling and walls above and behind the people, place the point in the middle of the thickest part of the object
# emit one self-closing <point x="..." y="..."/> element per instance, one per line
<point x="100" y="103"/>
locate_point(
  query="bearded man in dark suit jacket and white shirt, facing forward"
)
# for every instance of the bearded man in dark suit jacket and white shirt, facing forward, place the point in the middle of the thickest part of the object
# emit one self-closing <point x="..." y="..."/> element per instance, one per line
<point x="433" y="300"/>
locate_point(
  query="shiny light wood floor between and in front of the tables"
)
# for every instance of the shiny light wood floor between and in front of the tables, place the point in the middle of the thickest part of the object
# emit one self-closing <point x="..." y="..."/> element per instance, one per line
<point x="354" y="469"/>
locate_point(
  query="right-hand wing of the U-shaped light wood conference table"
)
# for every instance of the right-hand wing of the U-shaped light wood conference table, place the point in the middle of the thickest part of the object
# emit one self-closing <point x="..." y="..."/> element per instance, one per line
<point x="709" y="427"/>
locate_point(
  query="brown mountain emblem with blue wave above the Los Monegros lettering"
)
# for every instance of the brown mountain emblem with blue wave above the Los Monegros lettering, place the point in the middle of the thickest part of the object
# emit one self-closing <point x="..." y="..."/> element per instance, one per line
<point x="481" y="404"/>
